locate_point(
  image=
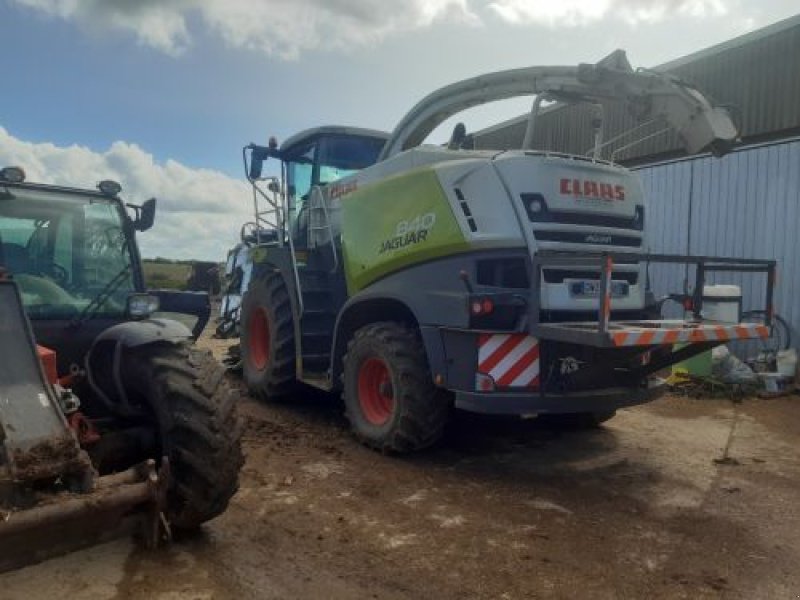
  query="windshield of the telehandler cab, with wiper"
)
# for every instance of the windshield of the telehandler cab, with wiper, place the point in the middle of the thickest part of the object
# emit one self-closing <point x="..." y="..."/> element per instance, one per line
<point x="65" y="251"/>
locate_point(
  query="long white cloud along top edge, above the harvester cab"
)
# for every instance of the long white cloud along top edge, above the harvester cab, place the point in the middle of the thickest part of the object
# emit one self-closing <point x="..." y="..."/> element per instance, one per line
<point x="280" y="27"/>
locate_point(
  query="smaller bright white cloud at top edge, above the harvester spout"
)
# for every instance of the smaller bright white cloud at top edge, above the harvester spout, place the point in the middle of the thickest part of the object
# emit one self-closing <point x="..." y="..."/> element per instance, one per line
<point x="573" y="13"/>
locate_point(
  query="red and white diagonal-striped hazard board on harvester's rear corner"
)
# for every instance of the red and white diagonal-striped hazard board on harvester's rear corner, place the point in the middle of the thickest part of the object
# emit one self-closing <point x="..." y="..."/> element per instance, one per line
<point x="510" y="359"/>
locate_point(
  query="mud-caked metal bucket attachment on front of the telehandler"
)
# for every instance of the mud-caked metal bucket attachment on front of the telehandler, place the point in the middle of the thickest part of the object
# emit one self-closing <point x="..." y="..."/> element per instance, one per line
<point x="51" y="499"/>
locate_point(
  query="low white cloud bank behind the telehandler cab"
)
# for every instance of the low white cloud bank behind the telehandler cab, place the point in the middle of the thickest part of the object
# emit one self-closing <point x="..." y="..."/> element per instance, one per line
<point x="199" y="212"/>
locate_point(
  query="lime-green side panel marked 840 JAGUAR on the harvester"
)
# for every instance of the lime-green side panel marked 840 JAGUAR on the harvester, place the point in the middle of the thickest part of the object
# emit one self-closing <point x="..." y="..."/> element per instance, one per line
<point x="399" y="222"/>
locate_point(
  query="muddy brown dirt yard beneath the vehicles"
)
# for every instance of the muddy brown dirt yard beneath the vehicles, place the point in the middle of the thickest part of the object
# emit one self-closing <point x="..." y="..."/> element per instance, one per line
<point x="678" y="499"/>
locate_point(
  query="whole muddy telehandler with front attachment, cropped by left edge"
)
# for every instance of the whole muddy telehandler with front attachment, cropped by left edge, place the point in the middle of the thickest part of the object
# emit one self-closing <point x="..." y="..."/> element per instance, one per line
<point x="109" y="416"/>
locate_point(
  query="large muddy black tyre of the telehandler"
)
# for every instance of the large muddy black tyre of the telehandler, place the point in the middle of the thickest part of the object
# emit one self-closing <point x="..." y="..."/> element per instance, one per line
<point x="198" y="428"/>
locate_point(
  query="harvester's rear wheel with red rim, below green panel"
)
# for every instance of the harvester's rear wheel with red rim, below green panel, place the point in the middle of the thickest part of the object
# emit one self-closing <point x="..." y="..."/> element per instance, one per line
<point x="389" y="397"/>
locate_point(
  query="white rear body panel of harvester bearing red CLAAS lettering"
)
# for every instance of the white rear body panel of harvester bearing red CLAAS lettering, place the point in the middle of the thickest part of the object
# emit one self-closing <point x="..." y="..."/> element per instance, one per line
<point x="494" y="191"/>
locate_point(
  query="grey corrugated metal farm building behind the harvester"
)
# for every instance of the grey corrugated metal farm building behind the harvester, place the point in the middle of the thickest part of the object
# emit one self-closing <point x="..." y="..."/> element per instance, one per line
<point x="746" y="204"/>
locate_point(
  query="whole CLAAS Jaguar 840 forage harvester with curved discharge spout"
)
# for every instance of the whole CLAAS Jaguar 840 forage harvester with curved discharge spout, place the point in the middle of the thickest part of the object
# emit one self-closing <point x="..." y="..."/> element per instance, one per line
<point x="414" y="278"/>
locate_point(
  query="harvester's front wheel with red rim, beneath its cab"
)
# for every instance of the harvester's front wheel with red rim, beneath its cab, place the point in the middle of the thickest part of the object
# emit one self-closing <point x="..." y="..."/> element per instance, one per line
<point x="267" y="338"/>
